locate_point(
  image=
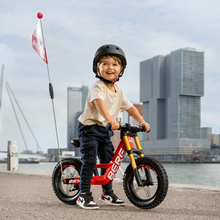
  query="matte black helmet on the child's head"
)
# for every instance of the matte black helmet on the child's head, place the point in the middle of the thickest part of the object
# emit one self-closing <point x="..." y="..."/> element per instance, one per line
<point x="109" y="49"/>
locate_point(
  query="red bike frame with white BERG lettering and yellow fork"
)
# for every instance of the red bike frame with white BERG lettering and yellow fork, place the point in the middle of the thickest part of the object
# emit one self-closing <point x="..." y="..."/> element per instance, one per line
<point x="125" y="145"/>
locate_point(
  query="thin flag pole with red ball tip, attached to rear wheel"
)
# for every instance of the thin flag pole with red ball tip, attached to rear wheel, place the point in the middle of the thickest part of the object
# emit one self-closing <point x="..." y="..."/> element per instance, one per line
<point x="40" y="15"/>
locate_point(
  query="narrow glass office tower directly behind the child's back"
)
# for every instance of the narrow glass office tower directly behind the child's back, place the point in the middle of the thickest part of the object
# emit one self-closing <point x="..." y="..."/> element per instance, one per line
<point x="76" y="99"/>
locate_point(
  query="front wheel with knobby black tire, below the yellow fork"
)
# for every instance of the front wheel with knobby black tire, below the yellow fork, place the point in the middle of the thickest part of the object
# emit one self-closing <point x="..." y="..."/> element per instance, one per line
<point x="147" y="196"/>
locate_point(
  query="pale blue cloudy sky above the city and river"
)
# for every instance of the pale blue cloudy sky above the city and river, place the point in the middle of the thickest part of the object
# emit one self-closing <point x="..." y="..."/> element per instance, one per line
<point x="73" y="31"/>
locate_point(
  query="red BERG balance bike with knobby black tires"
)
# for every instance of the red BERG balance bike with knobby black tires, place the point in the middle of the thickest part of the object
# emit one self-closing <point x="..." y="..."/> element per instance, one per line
<point x="145" y="180"/>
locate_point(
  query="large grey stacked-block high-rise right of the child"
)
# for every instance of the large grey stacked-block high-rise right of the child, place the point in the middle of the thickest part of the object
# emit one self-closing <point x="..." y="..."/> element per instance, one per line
<point x="171" y="88"/>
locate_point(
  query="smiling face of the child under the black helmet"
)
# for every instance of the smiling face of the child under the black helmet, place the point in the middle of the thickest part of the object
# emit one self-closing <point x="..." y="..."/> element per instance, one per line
<point x="109" y="68"/>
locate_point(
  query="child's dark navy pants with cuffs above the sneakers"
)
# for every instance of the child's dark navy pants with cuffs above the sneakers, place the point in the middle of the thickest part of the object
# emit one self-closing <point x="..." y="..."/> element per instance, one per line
<point x="94" y="141"/>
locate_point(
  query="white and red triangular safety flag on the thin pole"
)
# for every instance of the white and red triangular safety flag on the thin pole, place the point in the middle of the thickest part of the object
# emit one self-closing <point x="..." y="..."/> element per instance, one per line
<point x="37" y="42"/>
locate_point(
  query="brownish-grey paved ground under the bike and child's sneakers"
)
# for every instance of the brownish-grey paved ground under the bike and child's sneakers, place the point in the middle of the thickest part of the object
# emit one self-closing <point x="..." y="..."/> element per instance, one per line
<point x="26" y="196"/>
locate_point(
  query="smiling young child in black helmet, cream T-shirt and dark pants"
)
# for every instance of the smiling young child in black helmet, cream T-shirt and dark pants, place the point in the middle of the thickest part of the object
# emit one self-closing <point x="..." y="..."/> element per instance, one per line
<point x="104" y="101"/>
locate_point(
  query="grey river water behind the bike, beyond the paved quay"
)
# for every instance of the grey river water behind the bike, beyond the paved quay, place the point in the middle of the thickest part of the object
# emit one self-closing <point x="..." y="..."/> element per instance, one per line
<point x="183" y="173"/>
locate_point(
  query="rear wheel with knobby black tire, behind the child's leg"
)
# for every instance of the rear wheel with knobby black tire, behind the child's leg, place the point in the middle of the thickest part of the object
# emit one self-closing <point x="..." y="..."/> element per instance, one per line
<point x="67" y="193"/>
